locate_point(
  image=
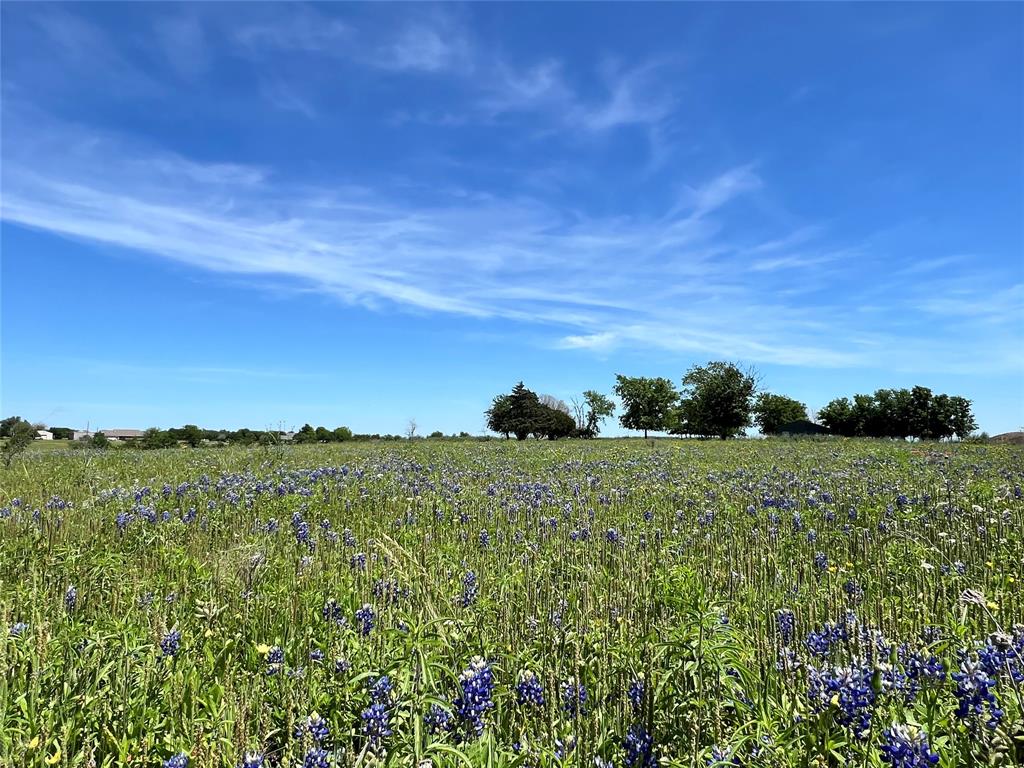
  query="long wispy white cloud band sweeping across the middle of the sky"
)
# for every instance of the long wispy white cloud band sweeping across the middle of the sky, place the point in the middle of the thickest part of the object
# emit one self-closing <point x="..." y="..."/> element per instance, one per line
<point x="590" y="283"/>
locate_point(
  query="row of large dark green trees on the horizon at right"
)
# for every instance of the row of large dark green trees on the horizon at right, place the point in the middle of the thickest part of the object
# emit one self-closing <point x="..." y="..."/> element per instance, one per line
<point x="721" y="400"/>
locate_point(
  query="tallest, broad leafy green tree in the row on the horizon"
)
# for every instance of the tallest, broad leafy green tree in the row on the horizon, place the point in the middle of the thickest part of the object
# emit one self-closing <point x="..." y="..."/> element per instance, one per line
<point x="717" y="401"/>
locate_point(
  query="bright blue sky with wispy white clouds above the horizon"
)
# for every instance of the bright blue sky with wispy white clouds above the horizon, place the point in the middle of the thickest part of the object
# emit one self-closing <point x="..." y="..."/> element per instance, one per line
<point x="257" y="216"/>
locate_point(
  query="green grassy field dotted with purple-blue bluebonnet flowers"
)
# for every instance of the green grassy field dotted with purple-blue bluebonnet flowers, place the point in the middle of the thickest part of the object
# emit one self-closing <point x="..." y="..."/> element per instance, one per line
<point x="445" y="604"/>
